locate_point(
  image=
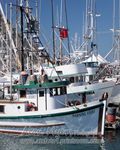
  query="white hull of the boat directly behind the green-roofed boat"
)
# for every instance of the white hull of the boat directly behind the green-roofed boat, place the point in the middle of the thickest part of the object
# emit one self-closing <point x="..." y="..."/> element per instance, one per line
<point x="96" y="90"/>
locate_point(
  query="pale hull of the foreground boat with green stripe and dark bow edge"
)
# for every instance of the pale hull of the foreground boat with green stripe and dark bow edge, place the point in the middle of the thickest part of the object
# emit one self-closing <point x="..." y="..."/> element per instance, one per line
<point x="78" y="120"/>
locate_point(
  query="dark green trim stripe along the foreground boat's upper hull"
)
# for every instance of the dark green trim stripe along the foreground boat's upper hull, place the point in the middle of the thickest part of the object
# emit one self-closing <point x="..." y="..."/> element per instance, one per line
<point x="76" y="110"/>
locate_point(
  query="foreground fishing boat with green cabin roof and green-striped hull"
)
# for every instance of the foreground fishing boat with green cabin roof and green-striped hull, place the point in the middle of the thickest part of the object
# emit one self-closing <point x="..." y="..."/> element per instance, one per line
<point x="39" y="110"/>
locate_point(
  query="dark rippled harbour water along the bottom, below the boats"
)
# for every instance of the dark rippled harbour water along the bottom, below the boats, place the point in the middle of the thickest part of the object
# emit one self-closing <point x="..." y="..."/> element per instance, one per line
<point x="24" y="142"/>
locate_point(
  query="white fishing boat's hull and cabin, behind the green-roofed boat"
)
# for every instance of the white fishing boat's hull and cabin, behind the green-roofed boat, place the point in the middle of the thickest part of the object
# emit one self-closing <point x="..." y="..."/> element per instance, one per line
<point x="76" y="74"/>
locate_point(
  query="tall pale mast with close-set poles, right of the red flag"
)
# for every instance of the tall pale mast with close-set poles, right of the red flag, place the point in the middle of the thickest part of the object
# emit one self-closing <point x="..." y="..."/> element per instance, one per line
<point x="90" y="35"/>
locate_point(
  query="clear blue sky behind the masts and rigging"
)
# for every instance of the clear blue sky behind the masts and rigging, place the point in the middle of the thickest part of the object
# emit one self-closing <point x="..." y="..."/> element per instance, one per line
<point x="75" y="13"/>
